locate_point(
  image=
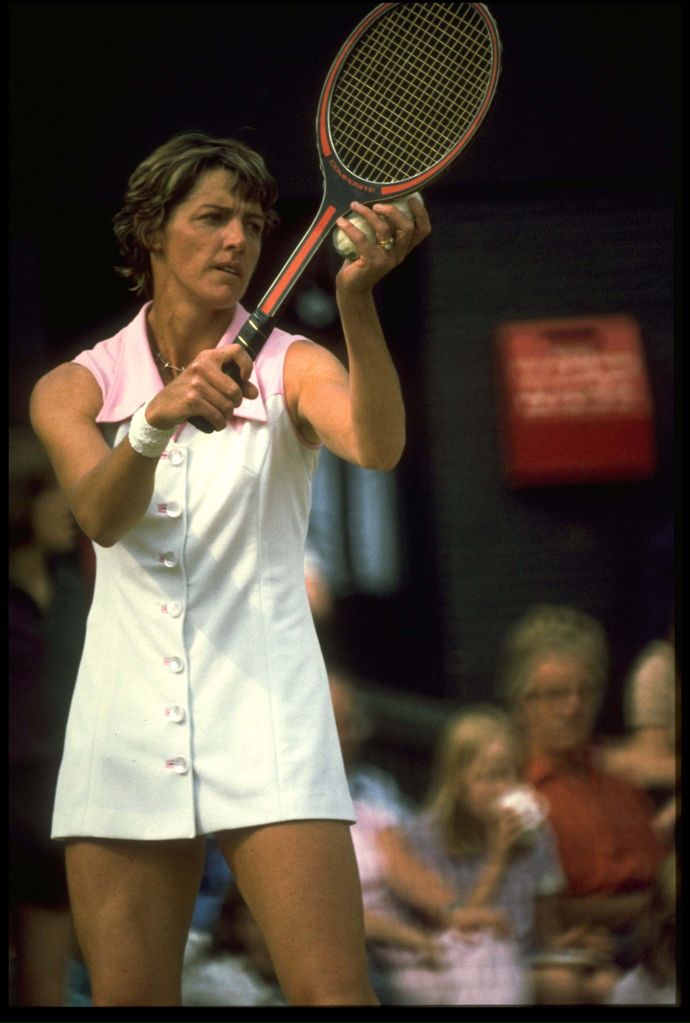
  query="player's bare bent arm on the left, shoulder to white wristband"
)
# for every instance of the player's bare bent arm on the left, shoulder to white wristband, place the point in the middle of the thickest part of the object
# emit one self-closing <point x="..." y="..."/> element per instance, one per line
<point x="109" y="490"/>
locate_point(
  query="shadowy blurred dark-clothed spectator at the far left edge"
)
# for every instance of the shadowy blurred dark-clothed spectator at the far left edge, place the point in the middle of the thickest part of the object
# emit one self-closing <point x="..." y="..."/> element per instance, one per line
<point x="47" y="621"/>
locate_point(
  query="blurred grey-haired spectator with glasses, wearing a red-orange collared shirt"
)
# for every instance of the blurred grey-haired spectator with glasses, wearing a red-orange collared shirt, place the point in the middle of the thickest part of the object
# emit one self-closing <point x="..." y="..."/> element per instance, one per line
<point x="555" y="665"/>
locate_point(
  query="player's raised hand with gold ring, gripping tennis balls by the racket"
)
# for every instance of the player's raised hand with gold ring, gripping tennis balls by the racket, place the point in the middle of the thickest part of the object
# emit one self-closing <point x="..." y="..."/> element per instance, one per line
<point x="396" y="236"/>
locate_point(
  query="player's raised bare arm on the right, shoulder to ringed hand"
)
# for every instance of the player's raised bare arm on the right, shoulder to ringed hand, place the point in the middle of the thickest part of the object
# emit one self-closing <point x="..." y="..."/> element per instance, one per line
<point x="358" y="413"/>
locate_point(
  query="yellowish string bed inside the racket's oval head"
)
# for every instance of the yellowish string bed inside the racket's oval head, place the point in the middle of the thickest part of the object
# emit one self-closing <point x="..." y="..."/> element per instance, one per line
<point x="414" y="85"/>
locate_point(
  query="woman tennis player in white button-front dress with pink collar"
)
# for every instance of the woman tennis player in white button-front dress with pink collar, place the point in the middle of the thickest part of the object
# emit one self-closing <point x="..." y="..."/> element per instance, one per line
<point x="202" y="704"/>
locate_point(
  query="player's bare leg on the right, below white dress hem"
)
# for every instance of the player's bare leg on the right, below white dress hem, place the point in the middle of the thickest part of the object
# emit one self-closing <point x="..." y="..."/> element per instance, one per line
<point x="300" y="881"/>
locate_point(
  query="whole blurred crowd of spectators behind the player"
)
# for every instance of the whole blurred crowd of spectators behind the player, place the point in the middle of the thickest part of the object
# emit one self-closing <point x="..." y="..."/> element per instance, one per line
<point x="540" y="869"/>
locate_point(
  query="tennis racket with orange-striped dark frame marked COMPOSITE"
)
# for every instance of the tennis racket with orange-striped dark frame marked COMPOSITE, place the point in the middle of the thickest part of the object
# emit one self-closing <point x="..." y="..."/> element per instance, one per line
<point x="405" y="96"/>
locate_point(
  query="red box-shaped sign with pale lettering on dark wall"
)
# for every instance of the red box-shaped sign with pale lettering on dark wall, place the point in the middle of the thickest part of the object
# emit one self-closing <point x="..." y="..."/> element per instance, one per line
<point x="576" y="402"/>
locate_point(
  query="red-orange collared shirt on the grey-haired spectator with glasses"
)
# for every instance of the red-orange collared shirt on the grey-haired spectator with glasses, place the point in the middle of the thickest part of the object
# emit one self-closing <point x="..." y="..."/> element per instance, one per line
<point x="602" y="828"/>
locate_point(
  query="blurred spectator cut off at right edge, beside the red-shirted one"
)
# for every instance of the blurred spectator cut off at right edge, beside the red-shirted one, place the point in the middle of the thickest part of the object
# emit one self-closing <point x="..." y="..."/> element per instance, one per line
<point x="650" y="754"/>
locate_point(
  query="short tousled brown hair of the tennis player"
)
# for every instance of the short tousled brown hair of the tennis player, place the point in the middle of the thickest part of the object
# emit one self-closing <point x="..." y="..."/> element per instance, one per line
<point x="166" y="177"/>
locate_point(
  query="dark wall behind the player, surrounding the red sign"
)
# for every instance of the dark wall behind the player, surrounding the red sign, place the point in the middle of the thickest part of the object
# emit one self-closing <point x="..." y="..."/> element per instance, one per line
<point x="564" y="205"/>
